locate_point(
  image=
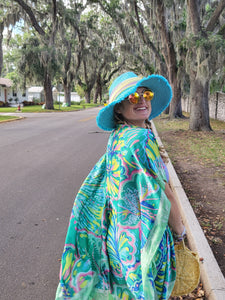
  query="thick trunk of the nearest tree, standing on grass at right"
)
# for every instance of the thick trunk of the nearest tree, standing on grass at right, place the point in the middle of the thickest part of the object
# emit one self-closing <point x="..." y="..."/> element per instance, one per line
<point x="198" y="67"/>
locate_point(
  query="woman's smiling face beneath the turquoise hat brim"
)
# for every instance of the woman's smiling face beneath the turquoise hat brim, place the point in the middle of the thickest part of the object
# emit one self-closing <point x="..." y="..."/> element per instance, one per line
<point x="136" y="114"/>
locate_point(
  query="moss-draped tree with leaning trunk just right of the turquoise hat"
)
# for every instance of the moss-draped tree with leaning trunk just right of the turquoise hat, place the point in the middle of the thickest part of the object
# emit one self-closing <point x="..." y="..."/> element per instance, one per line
<point x="134" y="18"/>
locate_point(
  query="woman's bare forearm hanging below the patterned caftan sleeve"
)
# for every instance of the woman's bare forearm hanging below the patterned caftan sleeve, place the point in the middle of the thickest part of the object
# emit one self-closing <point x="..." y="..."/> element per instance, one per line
<point x="175" y="220"/>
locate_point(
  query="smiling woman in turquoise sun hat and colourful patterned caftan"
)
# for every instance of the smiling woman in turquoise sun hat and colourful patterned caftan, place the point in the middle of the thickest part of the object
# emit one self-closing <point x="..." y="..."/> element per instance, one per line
<point x="119" y="243"/>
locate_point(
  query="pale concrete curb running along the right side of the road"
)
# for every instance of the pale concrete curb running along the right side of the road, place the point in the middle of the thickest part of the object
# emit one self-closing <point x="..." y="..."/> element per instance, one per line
<point x="211" y="276"/>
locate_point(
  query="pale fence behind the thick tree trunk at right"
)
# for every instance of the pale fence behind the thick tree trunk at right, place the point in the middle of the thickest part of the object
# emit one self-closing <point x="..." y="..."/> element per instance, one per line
<point x="216" y="106"/>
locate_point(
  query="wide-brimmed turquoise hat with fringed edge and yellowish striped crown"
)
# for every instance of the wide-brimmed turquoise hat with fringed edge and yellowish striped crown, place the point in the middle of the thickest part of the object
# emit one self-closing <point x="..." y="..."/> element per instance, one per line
<point x="126" y="84"/>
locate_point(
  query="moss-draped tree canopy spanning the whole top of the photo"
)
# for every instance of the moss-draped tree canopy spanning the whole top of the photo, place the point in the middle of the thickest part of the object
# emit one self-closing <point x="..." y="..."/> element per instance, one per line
<point x="88" y="42"/>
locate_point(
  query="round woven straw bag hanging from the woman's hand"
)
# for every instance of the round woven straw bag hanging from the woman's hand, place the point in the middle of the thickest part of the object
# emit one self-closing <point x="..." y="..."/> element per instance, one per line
<point x="188" y="270"/>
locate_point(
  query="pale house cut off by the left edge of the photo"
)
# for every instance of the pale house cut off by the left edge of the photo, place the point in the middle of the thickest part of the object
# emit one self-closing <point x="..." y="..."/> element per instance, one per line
<point x="9" y="95"/>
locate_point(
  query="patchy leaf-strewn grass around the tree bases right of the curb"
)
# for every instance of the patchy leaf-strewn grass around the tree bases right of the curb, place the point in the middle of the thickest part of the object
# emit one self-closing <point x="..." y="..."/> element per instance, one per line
<point x="206" y="147"/>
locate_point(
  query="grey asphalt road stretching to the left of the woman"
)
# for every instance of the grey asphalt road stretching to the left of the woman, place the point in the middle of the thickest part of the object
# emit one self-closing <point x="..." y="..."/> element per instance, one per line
<point x="44" y="160"/>
